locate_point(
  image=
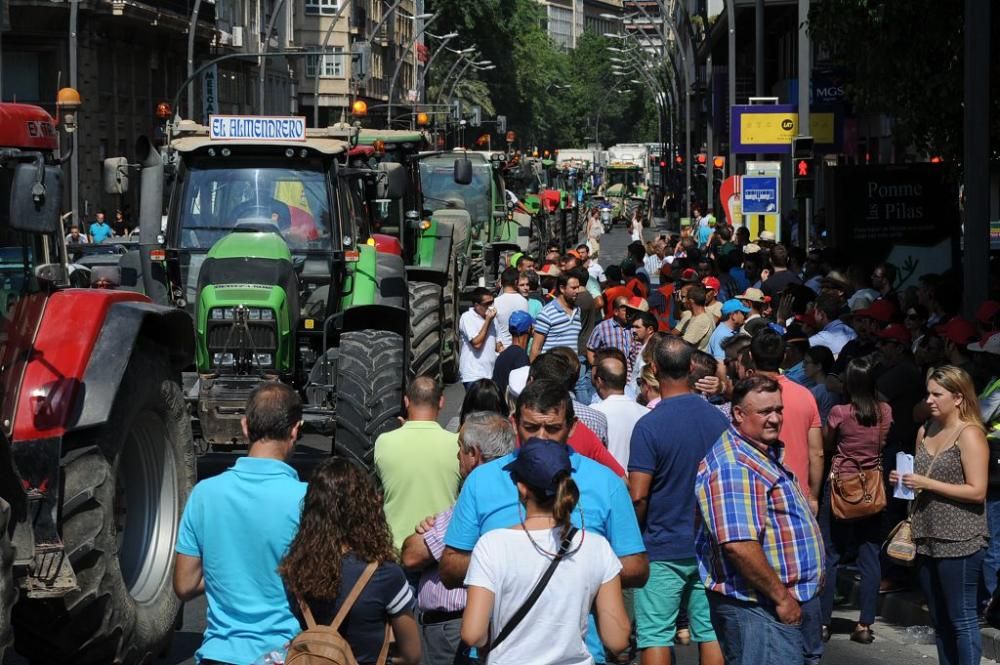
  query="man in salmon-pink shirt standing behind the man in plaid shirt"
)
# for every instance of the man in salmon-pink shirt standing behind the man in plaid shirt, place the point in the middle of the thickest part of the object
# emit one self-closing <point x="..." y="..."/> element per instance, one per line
<point x="801" y="429"/>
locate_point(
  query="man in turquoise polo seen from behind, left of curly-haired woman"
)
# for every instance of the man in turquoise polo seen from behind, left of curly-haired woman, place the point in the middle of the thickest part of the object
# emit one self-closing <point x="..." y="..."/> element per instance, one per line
<point x="235" y="530"/>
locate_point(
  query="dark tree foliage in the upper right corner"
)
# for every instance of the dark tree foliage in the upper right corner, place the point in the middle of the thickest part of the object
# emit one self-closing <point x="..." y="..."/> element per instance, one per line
<point x="906" y="60"/>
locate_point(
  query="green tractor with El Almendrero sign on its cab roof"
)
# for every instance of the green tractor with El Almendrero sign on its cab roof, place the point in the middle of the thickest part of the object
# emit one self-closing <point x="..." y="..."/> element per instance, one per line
<point x="268" y="243"/>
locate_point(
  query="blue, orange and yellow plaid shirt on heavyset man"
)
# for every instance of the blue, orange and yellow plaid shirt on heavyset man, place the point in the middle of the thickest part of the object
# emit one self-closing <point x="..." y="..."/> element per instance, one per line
<point x="745" y="493"/>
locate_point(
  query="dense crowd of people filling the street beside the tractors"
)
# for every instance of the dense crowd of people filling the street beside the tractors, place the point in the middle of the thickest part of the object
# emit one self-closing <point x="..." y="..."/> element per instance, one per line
<point x="650" y="452"/>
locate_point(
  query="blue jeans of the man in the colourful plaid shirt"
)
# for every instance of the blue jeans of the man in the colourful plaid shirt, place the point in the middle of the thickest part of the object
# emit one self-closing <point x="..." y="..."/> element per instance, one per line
<point x="750" y="634"/>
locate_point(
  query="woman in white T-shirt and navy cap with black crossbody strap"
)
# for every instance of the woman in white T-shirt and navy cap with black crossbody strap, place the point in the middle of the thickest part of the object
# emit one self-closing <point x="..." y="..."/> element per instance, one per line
<point x="508" y="563"/>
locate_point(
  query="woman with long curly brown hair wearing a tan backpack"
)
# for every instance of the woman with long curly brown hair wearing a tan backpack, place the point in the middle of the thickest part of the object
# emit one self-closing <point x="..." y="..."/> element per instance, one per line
<point x="343" y="539"/>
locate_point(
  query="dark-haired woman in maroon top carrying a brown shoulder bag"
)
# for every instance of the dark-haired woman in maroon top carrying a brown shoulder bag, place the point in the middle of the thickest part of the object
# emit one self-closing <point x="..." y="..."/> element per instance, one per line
<point x="856" y="431"/>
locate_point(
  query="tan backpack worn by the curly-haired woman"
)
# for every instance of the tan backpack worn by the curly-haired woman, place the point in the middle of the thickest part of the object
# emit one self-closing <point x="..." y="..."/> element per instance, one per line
<point x="324" y="645"/>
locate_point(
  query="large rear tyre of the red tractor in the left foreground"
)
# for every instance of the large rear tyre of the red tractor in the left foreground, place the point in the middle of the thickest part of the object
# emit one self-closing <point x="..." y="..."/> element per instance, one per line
<point x="125" y="486"/>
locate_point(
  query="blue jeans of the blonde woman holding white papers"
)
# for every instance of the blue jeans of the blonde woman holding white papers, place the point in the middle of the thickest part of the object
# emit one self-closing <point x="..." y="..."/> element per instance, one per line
<point x="950" y="587"/>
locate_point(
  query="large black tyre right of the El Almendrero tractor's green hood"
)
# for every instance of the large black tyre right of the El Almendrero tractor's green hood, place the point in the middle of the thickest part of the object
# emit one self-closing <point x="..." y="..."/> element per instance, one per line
<point x="369" y="391"/>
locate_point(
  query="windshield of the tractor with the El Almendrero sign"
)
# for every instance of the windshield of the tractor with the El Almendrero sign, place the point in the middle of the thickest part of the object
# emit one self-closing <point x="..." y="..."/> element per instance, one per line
<point x="294" y="202"/>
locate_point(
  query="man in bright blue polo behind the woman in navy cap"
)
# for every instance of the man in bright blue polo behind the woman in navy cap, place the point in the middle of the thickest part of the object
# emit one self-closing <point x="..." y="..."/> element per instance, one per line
<point x="489" y="498"/>
